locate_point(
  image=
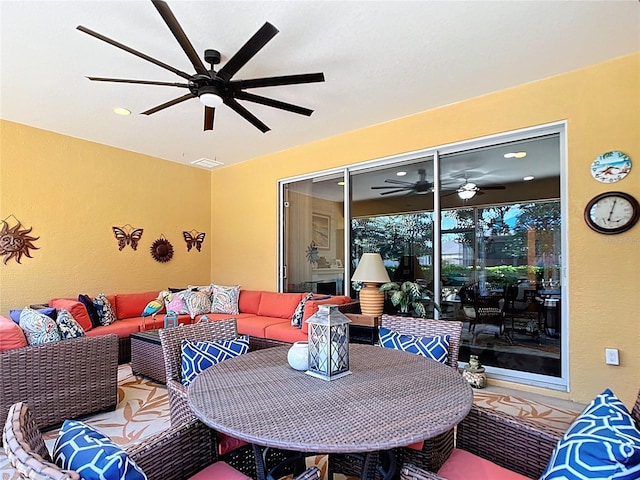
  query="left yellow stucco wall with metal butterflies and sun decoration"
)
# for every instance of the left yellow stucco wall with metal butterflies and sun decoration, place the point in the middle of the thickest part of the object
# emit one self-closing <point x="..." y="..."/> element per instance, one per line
<point x="72" y="192"/>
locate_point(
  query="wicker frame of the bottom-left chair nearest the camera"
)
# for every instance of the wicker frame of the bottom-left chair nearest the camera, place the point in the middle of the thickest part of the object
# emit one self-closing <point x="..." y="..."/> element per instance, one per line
<point x="174" y="454"/>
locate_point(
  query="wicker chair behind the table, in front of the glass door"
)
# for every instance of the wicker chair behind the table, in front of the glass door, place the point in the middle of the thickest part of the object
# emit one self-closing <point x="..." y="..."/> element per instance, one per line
<point x="436" y="450"/>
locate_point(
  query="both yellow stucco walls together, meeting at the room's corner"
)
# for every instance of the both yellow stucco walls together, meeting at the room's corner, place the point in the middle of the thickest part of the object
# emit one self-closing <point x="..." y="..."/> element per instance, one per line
<point x="72" y="191"/>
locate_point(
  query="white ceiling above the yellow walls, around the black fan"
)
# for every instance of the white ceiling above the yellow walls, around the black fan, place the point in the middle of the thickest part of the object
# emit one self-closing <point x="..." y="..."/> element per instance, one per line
<point x="382" y="60"/>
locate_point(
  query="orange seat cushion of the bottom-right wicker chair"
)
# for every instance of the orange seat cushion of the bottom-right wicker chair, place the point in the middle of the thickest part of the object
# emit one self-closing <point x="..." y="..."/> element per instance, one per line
<point x="462" y="465"/>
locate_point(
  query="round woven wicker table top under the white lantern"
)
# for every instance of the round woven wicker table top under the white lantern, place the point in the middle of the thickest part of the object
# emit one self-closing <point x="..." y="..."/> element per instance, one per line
<point x="390" y="399"/>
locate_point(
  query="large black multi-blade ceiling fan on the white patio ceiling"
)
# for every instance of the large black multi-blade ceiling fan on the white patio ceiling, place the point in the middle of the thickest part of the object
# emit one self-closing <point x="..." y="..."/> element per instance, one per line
<point x="212" y="87"/>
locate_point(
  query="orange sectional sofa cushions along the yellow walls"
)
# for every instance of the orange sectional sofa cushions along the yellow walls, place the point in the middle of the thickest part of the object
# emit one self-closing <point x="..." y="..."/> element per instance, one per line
<point x="262" y="315"/>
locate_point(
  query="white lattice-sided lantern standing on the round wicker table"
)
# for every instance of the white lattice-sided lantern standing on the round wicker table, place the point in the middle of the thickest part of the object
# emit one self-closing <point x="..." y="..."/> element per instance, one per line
<point x="328" y="343"/>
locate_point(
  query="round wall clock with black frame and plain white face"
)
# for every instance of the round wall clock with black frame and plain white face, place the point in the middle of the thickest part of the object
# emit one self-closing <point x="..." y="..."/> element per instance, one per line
<point x="612" y="212"/>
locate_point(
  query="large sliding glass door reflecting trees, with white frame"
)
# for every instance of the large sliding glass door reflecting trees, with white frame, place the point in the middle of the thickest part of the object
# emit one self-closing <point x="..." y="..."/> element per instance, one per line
<point x="476" y="222"/>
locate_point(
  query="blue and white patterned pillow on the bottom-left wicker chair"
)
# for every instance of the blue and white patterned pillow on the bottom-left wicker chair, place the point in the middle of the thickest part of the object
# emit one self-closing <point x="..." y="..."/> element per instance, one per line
<point x="94" y="456"/>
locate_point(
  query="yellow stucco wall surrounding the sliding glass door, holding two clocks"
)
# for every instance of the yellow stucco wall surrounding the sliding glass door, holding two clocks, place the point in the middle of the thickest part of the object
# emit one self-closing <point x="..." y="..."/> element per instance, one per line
<point x="601" y="105"/>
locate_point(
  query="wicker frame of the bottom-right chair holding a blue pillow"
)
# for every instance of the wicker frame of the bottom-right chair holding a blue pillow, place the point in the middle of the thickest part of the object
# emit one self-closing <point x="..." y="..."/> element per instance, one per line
<point x="514" y="443"/>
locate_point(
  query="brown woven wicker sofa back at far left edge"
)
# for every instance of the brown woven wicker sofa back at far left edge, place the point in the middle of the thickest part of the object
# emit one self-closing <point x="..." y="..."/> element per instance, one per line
<point x="61" y="380"/>
